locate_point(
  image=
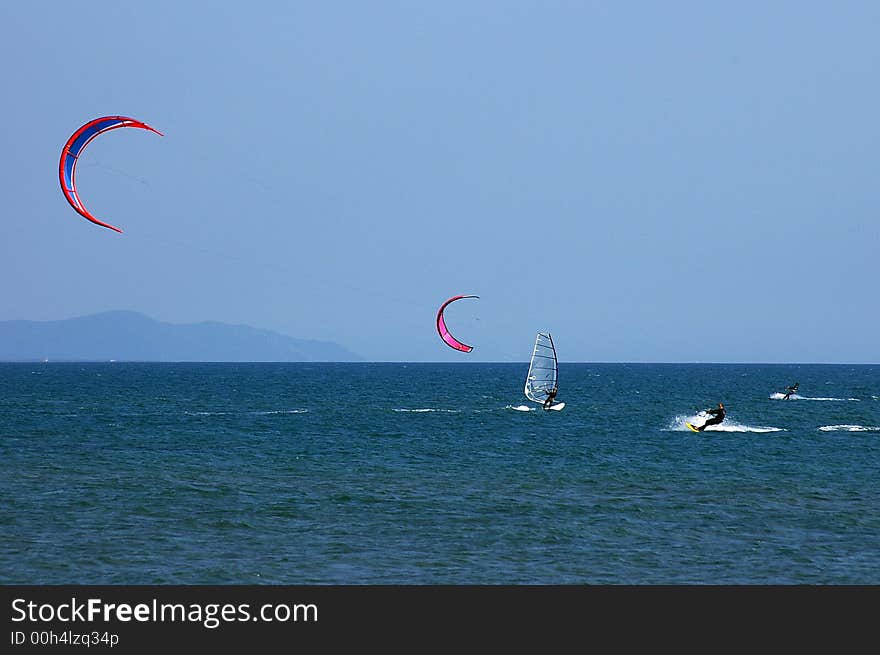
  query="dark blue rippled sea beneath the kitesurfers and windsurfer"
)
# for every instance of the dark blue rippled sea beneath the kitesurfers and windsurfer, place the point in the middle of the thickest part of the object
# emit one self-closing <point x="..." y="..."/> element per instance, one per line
<point x="389" y="473"/>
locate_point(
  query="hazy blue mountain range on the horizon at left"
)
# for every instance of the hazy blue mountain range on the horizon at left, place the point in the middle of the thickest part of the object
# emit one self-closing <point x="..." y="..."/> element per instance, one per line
<point x="129" y="336"/>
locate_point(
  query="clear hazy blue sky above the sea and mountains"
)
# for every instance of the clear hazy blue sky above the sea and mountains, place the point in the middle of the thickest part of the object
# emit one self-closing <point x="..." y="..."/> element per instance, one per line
<point x="651" y="182"/>
